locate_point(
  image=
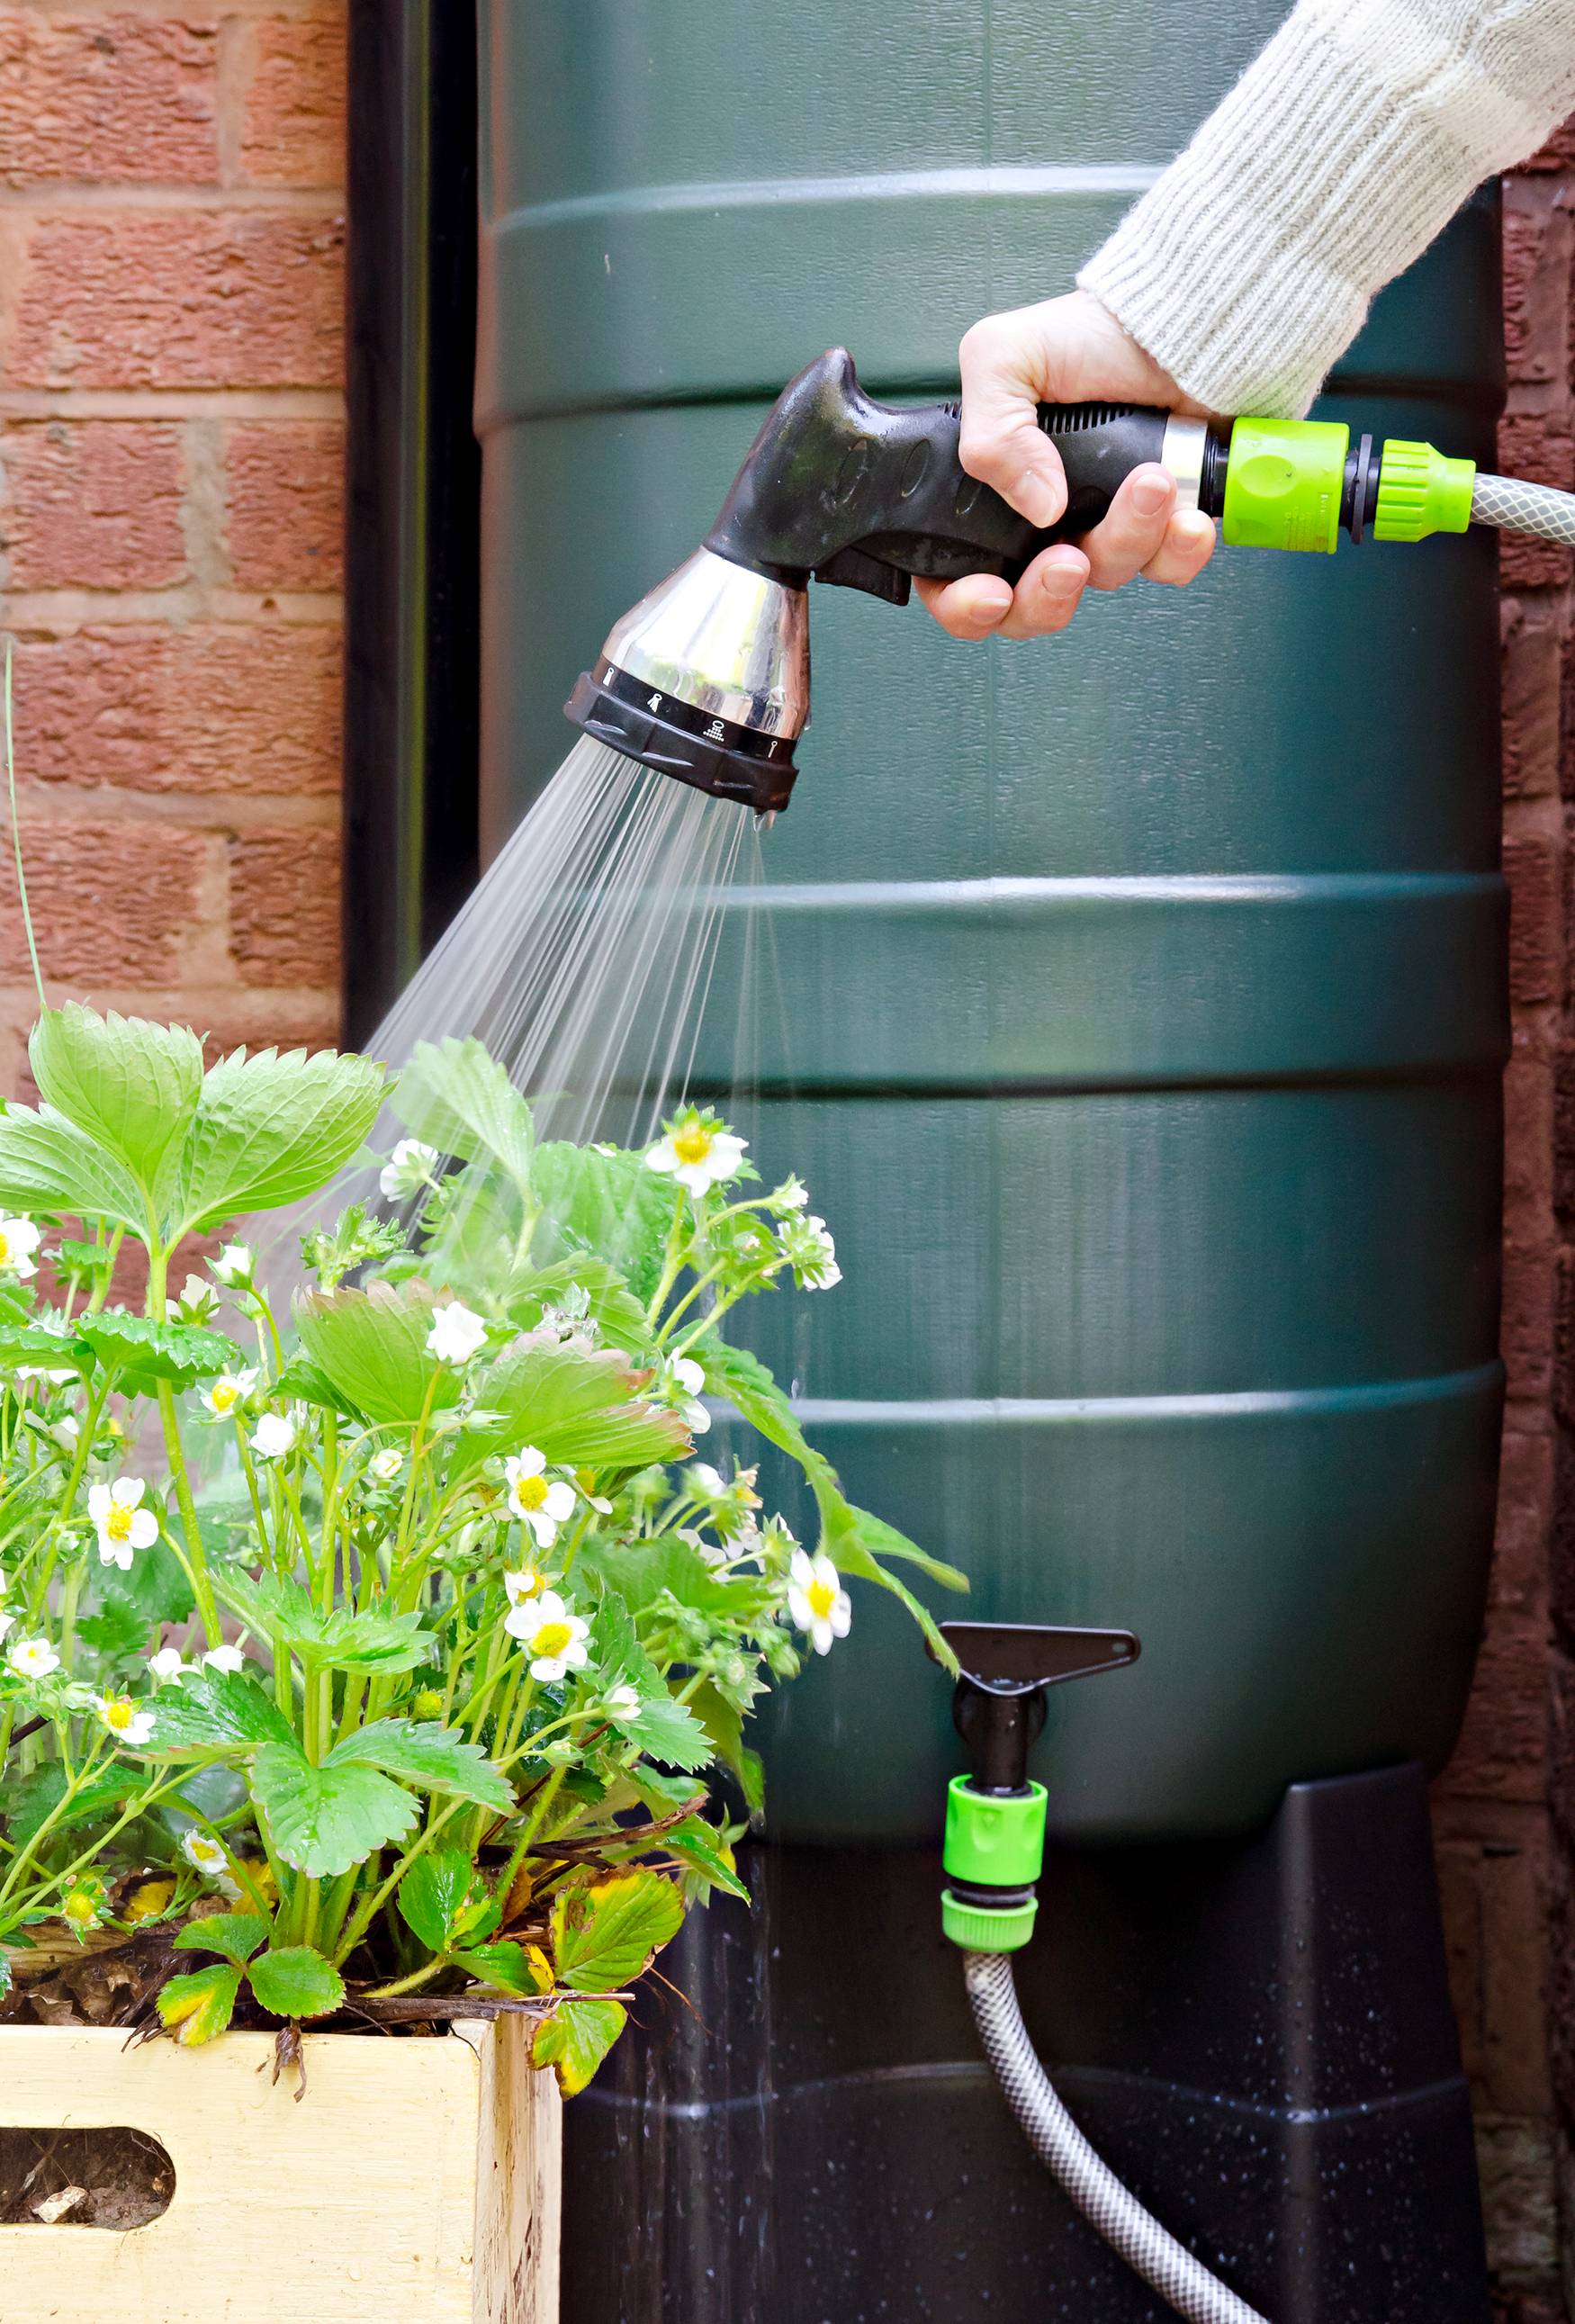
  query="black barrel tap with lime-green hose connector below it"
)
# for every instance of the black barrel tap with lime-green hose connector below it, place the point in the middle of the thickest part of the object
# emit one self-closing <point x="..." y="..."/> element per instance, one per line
<point x="995" y="1819"/>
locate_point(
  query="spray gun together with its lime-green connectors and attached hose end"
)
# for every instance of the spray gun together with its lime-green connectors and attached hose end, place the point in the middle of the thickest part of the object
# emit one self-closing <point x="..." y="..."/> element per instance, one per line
<point x="707" y="677"/>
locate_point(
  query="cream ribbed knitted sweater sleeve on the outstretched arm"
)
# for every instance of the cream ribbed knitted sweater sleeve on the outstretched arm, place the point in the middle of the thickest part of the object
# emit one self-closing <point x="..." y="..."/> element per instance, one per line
<point x="1332" y="164"/>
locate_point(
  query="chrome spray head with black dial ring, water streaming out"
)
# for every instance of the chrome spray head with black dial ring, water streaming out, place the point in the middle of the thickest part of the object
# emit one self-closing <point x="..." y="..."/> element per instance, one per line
<point x="707" y="680"/>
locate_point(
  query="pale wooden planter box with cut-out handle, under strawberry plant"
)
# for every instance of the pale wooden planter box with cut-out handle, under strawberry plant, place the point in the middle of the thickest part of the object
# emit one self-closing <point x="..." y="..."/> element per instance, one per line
<point x="417" y="2181"/>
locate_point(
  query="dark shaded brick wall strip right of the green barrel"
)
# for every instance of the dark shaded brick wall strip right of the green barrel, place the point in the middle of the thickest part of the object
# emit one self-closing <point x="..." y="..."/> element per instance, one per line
<point x="1504" y="1809"/>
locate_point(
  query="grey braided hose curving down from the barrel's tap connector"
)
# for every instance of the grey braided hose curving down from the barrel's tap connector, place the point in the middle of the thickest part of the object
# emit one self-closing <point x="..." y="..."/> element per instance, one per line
<point x="1149" y="2248"/>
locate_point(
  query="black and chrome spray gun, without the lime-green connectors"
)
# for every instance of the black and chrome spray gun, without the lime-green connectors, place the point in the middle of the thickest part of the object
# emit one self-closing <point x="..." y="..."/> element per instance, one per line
<point x="710" y="675"/>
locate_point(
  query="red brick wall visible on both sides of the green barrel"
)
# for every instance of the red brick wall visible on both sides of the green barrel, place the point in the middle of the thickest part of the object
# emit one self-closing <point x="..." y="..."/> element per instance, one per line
<point x="171" y="501"/>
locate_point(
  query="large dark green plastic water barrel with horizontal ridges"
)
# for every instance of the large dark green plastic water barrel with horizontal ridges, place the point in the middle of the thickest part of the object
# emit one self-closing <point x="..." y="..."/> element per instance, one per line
<point x="1139" y="998"/>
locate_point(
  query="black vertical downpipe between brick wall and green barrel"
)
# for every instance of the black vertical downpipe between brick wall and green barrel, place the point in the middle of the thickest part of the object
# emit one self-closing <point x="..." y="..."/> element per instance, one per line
<point x="412" y="680"/>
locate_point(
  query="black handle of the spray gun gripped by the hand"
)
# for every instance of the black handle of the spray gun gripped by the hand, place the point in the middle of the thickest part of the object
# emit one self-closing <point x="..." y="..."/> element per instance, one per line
<point x="868" y="494"/>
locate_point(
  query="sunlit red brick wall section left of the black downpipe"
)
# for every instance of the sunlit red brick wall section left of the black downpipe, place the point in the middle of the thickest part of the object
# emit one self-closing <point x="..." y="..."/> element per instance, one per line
<point x="171" y="503"/>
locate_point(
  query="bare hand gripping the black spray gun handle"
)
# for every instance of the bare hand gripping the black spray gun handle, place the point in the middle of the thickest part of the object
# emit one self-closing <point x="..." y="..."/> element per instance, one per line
<point x="1063" y="352"/>
